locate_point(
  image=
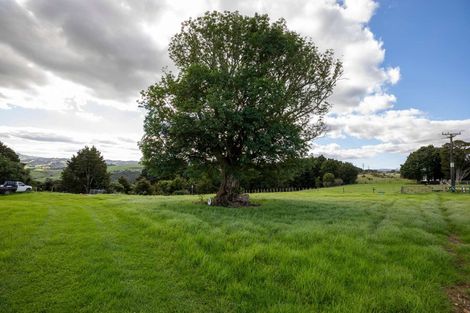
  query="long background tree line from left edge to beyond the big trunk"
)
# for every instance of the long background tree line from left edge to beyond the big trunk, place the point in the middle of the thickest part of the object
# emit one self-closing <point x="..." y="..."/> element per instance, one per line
<point x="87" y="170"/>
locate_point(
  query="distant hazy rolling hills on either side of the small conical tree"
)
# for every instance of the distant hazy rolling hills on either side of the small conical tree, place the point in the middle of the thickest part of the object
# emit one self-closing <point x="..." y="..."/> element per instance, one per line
<point x="42" y="168"/>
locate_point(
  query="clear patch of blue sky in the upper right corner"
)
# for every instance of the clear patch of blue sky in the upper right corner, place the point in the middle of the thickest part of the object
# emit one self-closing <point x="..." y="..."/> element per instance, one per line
<point x="430" y="40"/>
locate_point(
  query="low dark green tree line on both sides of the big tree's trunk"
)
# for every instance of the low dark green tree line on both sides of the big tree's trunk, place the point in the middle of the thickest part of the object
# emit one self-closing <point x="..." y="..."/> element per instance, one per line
<point x="310" y="172"/>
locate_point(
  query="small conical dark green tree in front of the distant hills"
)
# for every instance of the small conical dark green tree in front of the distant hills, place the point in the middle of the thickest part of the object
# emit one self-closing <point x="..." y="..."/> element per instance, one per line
<point x="85" y="171"/>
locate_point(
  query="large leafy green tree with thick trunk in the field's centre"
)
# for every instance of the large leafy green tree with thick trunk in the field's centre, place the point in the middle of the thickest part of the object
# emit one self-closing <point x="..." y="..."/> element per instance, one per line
<point x="247" y="92"/>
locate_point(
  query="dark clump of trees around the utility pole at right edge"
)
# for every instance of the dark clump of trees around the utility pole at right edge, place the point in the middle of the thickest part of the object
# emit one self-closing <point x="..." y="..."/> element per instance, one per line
<point x="433" y="163"/>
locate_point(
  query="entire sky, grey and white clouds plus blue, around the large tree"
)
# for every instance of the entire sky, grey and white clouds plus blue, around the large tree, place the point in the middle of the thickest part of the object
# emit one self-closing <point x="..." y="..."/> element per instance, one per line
<point x="71" y="72"/>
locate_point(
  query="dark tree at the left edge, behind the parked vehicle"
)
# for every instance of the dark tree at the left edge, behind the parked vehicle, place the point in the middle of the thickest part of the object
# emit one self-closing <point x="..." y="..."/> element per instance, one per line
<point x="11" y="167"/>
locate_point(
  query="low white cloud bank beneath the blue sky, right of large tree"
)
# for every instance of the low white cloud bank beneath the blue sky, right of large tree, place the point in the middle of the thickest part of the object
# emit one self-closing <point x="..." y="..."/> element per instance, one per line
<point x="398" y="131"/>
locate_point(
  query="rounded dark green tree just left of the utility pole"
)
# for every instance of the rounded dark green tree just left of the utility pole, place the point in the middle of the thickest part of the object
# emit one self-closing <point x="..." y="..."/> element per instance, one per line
<point x="423" y="163"/>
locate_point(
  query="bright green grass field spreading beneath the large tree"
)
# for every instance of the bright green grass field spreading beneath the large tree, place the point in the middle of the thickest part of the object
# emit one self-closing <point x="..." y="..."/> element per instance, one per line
<point x="330" y="250"/>
